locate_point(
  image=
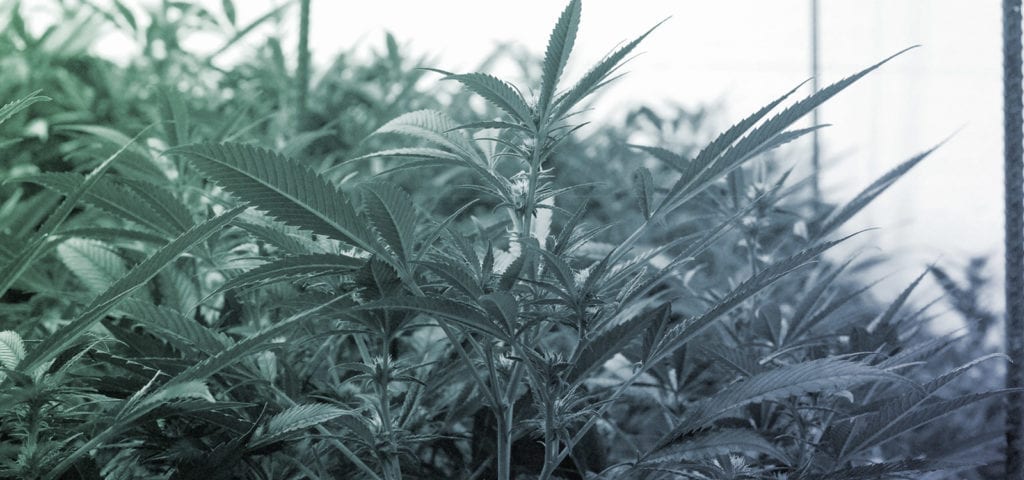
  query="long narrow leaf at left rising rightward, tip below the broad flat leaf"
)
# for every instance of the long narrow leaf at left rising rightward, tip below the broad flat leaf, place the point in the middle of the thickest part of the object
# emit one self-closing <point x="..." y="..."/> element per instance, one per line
<point x="137" y="278"/>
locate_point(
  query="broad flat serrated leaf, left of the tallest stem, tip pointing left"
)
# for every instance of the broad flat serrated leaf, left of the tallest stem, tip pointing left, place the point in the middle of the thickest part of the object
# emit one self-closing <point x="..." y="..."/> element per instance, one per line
<point x="284" y="189"/>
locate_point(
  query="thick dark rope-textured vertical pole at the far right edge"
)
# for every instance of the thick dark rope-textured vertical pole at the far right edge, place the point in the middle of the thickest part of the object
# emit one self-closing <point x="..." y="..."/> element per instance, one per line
<point x="1013" y="162"/>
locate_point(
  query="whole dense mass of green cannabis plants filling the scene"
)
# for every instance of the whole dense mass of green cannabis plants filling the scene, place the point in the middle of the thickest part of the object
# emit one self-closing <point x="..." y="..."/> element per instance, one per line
<point x="229" y="276"/>
